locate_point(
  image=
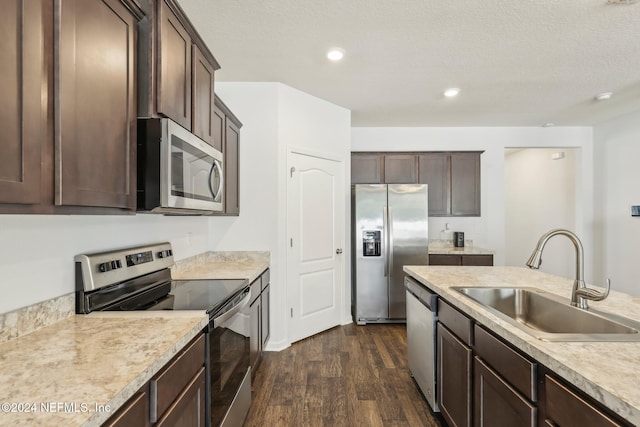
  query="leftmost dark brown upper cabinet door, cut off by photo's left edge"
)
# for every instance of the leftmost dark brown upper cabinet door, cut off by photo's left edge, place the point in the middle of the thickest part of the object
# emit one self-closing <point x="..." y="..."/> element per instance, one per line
<point x="22" y="110"/>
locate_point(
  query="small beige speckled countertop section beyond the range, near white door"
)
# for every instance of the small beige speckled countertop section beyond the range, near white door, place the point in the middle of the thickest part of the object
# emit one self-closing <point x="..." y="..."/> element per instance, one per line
<point x="222" y="265"/>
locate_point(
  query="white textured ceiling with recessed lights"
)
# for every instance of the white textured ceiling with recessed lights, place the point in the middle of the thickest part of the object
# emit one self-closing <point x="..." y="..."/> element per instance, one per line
<point x="518" y="63"/>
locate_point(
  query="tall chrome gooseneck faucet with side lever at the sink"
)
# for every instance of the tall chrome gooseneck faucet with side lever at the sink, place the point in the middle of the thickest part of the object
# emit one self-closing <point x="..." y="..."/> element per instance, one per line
<point x="579" y="293"/>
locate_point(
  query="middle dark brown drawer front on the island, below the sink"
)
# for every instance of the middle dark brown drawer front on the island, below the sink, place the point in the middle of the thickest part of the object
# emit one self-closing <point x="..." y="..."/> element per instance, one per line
<point x="519" y="371"/>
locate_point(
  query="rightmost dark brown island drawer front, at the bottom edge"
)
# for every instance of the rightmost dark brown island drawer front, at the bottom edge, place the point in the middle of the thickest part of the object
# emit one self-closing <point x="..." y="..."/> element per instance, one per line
<point x="566" y="408"/>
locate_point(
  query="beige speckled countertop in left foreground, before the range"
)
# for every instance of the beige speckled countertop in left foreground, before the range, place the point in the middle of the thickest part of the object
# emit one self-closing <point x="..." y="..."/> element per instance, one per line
<point x="59" y="373"/>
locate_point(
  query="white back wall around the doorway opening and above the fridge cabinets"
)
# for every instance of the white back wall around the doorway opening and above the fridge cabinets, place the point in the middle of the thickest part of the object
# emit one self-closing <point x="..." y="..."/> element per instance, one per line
<point x="488" y="230"/>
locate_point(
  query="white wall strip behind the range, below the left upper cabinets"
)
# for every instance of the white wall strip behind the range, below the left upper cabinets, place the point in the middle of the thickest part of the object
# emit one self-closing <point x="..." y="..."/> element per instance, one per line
<point x="36" y="254"/>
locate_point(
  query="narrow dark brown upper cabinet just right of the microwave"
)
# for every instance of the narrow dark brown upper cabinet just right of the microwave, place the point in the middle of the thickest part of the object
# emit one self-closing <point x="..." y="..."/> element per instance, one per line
<point x="226" y="131"/>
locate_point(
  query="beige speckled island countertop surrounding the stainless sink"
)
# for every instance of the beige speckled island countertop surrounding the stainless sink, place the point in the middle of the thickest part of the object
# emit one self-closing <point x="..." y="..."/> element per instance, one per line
<point x="607" y="371"/>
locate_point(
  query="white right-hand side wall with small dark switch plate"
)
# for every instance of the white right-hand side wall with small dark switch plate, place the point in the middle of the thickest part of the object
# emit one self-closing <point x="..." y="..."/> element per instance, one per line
<point x="617" y="153"/>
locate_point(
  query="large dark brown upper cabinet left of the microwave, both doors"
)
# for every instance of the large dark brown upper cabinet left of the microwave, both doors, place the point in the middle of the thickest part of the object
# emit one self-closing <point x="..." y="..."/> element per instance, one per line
<point x="70" y="142"/>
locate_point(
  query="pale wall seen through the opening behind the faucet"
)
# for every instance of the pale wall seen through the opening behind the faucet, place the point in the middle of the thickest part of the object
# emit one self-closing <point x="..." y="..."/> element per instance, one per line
<point x="540" y="195"/>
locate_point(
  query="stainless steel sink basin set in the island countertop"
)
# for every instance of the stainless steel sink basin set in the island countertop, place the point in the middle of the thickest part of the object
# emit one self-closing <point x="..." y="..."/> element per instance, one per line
<point x="548" y="317"/>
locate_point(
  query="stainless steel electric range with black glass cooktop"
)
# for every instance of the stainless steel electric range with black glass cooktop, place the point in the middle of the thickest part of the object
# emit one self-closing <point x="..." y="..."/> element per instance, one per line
<point x="139" y="278"/>
